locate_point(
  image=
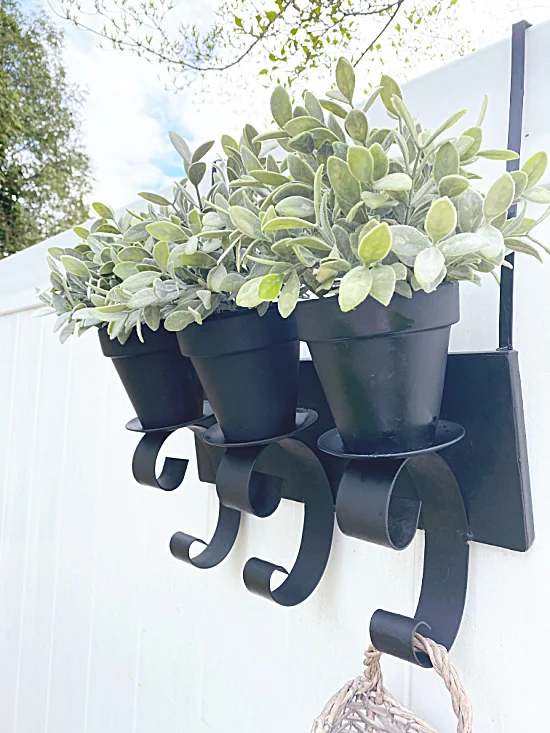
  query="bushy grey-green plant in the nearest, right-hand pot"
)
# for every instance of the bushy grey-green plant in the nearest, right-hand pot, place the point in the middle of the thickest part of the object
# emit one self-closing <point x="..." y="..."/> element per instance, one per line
<point x="365" y="212"/>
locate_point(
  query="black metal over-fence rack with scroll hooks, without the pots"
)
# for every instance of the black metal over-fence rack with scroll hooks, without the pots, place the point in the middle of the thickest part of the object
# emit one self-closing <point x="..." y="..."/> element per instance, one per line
<point x="471" y="484"/>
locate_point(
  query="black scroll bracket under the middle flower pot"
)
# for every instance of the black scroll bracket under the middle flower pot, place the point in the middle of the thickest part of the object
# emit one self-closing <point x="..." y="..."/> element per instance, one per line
<point x="254" y="480"/>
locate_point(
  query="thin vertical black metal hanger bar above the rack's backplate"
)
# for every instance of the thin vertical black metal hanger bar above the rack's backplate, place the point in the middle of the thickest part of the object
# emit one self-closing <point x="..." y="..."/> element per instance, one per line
<point x="517" y="86"/>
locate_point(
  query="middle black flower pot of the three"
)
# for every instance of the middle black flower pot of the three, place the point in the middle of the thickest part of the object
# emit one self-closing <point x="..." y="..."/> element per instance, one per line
<point x="248" y="367"/>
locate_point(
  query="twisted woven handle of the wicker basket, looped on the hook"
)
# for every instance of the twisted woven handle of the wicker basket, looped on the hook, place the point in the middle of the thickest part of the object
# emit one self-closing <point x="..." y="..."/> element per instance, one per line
<point x="441" y="662"/>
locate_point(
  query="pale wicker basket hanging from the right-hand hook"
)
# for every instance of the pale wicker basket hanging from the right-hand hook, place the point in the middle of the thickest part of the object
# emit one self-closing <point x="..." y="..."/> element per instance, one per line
<point x="363" y="705"/>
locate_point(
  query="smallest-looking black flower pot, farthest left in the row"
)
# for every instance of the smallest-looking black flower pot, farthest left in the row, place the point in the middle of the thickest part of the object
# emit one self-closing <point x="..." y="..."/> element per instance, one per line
<point x="161" y="383"/>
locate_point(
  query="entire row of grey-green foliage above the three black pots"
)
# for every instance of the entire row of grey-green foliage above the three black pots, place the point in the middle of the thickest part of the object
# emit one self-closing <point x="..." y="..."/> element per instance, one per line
<point x="324" y="204"/>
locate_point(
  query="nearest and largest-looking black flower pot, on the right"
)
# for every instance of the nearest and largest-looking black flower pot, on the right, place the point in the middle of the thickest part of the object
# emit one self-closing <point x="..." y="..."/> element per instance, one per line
<point x="382" y="368"/>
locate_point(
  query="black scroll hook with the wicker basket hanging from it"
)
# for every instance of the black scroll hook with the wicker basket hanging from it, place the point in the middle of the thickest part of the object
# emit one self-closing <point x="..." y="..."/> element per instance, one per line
<point x="382" y="501"/>
